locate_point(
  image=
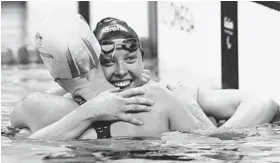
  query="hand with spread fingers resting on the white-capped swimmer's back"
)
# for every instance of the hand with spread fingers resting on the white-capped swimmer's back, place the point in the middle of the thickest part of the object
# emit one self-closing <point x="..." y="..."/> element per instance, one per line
<point x="113" y="105"/>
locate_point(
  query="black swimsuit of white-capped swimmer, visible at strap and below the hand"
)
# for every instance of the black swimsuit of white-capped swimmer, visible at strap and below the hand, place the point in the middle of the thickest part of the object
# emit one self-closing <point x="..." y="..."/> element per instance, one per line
<point x="102" y="128"/>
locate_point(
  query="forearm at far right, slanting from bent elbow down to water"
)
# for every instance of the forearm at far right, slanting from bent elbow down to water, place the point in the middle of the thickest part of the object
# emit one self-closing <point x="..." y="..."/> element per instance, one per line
<point x="252" y="111"/>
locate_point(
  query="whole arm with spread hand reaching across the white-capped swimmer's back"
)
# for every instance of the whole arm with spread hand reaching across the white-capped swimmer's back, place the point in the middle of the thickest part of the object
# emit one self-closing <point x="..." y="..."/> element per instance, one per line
<point x="110" y="106"/>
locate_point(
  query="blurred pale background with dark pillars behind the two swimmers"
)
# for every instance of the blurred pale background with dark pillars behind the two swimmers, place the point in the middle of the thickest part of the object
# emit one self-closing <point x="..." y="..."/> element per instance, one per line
<point x="215" y="44"/>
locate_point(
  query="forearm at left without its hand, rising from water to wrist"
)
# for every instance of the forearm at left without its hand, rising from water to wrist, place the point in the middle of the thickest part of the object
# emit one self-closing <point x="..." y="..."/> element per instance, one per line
<point x="70" y="126"/>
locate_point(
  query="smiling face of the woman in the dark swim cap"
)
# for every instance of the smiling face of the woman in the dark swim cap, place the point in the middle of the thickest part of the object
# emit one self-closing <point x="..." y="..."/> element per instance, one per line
<point x="124" y="68"/>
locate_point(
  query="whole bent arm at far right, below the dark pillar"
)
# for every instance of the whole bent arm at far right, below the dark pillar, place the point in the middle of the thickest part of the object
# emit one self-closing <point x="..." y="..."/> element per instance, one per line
<point x="241" y="109"/>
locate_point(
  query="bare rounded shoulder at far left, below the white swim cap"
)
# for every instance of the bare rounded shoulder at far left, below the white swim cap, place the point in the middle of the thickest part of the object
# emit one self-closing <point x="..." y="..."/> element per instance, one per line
<point x="29" y="112"/>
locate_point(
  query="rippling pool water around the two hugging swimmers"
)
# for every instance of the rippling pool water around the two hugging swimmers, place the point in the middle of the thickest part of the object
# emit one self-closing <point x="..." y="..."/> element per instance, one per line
<point x="256" y="144"/>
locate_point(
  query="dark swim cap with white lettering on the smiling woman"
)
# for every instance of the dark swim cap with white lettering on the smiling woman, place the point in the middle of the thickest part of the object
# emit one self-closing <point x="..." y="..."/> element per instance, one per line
<point x="111" y="28"/>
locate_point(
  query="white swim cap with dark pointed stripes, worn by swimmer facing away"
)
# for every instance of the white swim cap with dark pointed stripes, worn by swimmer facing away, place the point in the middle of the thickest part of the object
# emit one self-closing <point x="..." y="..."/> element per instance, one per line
<point x="67" y="46"/>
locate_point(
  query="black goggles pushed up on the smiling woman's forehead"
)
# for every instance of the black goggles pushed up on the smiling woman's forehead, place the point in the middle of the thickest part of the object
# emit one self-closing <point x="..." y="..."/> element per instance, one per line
<point x="109" y="46"/>
